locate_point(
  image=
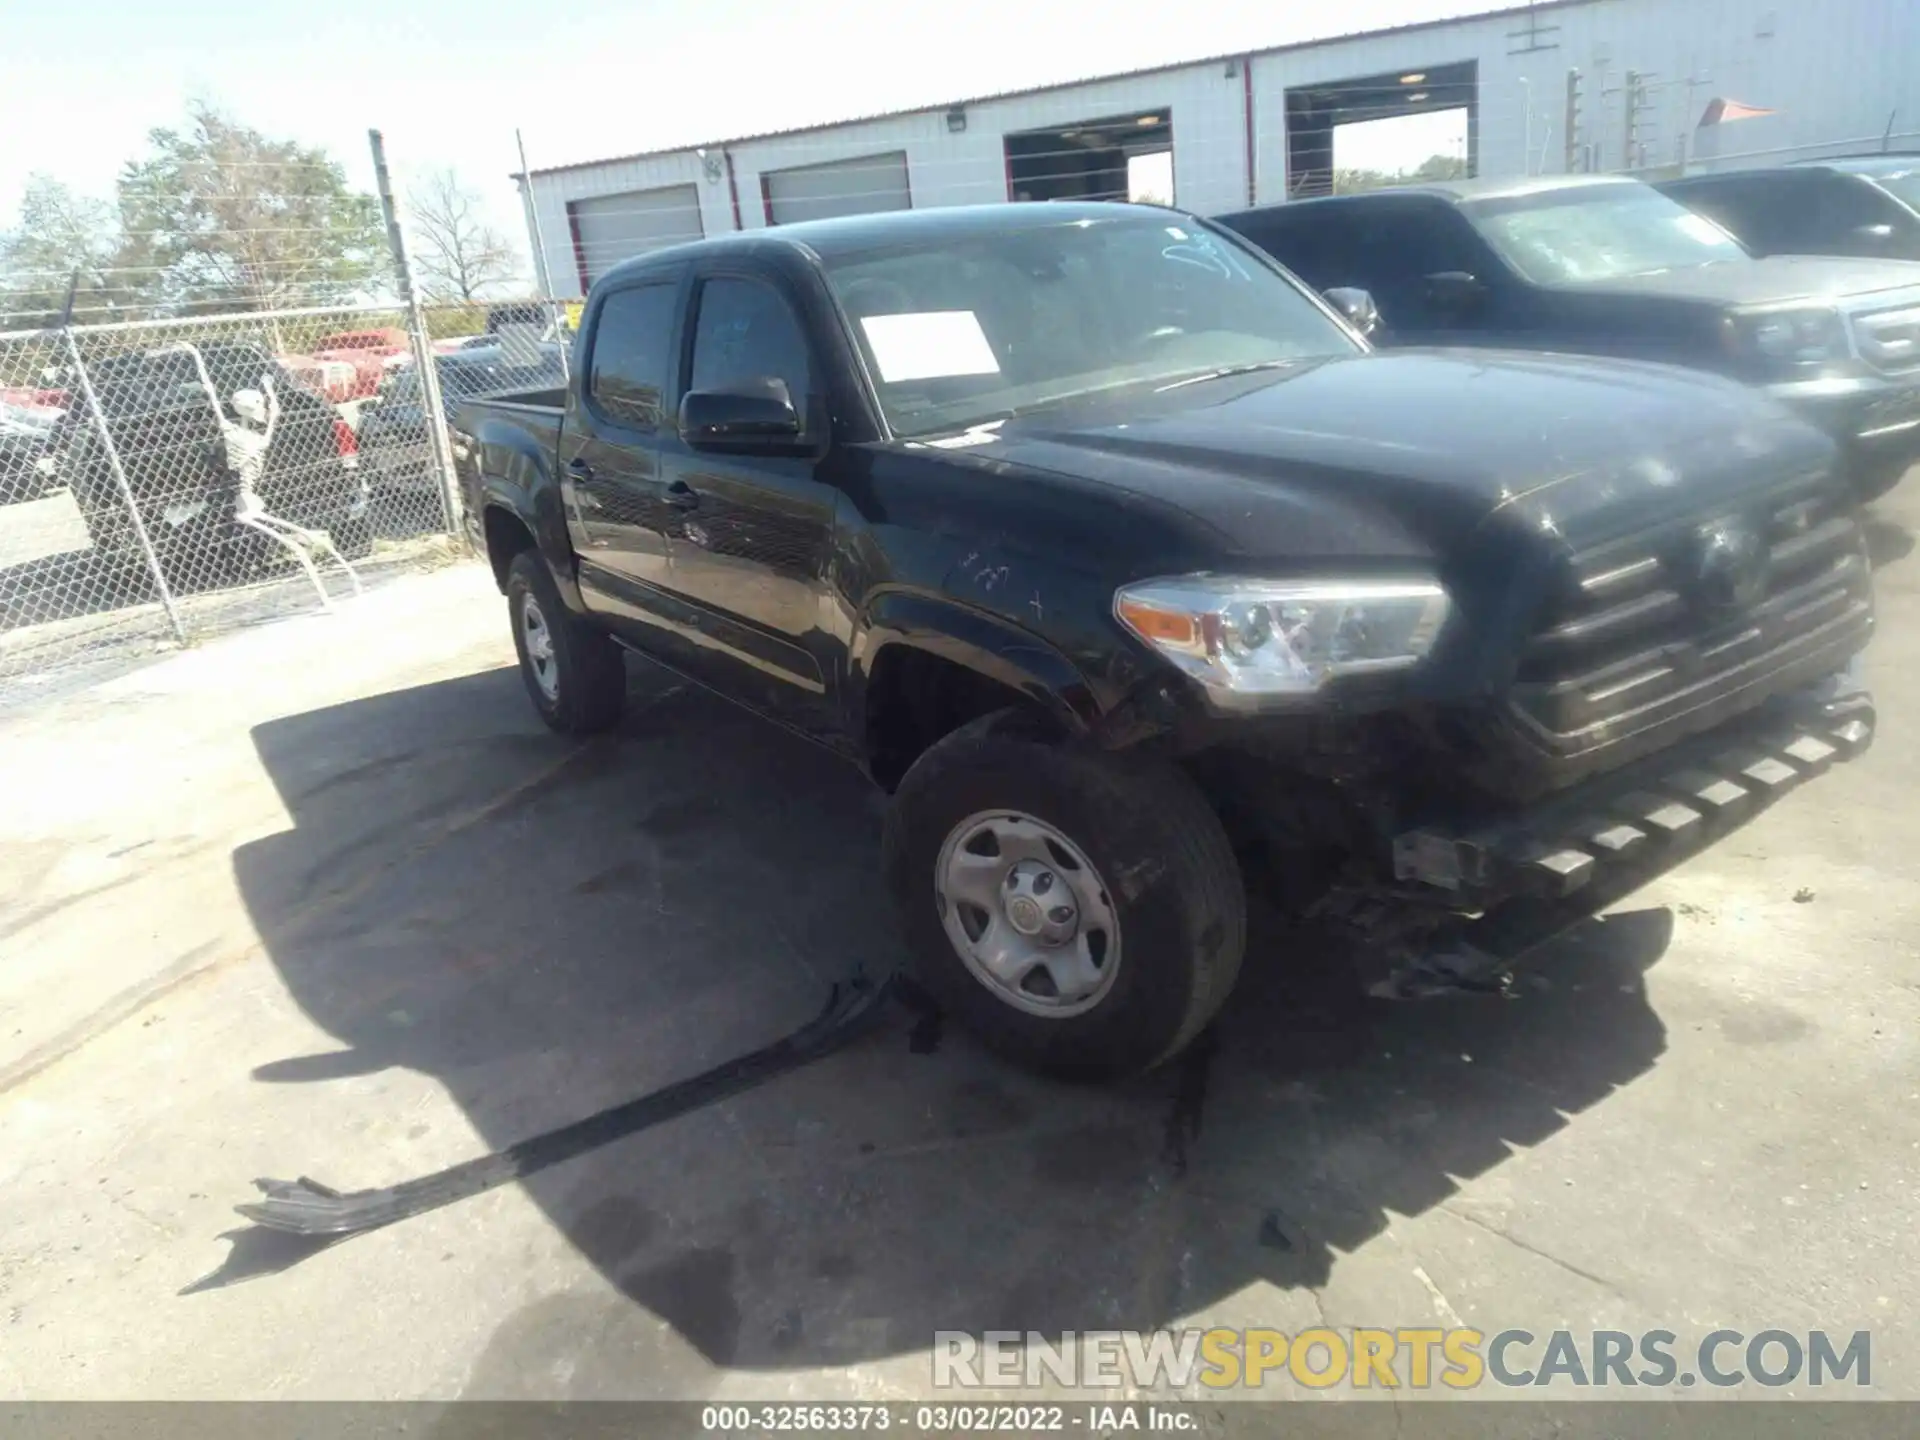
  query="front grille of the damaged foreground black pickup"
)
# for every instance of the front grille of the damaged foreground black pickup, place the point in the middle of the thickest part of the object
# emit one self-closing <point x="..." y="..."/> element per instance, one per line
<point x="1660" y="625"/>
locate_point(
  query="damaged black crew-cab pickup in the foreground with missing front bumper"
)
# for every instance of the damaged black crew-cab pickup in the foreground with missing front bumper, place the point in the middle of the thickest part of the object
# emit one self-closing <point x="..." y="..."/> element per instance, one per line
<point x="1140" y="579"/>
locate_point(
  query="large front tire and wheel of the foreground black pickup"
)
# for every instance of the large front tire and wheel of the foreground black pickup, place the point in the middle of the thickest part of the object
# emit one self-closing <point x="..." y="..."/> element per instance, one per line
<point x="1164" y="882"/>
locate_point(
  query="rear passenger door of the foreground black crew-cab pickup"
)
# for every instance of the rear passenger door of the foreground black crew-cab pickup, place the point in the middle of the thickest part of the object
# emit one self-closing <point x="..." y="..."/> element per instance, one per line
<point x="617" y="510"/>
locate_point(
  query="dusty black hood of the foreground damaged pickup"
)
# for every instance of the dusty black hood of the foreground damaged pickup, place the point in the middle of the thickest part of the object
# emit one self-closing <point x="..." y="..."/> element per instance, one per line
<point x="1412" y="452"/>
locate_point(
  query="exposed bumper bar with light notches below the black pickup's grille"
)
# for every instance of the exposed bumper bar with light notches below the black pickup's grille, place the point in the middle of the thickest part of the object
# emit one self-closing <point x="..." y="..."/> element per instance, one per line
<point x="1520" y="880"/>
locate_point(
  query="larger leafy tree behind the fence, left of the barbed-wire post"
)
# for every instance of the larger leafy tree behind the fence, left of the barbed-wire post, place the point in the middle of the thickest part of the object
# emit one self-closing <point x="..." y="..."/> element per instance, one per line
<point x="231" y="220"/>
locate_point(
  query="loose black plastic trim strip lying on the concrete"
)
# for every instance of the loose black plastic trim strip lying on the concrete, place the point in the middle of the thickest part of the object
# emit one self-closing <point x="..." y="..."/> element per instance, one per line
<point x="312" y="1209"/>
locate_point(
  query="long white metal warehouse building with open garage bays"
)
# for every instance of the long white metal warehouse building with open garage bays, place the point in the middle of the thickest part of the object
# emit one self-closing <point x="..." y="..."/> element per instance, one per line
<point x="1562" y="85"/>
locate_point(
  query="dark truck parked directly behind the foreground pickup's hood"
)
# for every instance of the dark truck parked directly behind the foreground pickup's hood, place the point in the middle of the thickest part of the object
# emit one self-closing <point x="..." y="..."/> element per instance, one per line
<point x="1608" y="266"/>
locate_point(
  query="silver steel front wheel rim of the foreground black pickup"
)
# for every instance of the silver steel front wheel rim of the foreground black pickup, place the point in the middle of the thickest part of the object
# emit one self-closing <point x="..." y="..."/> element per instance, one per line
<point x="1028" y="915"/>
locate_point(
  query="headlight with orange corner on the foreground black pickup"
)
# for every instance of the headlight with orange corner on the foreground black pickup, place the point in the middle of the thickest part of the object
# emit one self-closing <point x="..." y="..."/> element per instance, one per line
<point x="1259" y="638"/>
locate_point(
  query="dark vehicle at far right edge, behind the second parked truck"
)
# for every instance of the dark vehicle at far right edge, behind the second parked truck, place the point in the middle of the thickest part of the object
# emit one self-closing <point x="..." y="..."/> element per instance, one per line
<point x="1858" y="206"/>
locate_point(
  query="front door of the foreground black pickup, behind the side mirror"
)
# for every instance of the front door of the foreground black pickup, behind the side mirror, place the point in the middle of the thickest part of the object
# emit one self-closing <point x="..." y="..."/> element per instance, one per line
<point x="754" y="531"/>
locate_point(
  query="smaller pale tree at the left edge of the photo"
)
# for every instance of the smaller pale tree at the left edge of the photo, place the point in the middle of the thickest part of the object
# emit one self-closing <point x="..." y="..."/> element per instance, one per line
<point x="64" y="239"/>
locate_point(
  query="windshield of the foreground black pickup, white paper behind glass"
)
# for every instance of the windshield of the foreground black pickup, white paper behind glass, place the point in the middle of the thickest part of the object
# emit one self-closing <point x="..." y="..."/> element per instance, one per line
<point x="963" y="331"/>
